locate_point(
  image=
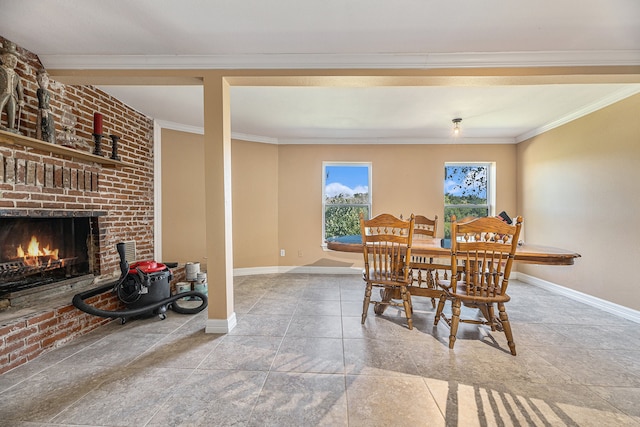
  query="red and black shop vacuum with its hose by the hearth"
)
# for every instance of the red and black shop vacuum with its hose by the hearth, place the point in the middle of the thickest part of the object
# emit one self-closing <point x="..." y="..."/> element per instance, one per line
<point x="145" y="288"/>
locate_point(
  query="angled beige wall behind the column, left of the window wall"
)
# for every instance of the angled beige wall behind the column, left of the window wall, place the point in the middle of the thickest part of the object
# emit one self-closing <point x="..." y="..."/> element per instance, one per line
<point x="255" y="201"/>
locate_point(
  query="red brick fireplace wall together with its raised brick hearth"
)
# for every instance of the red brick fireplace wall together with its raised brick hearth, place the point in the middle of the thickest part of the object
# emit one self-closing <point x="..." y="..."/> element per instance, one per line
<point x="37" y="179"/>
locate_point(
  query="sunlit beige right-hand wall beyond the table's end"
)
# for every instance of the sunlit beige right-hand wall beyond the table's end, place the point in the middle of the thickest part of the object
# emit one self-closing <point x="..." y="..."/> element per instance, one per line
<point x="578" y="189"/>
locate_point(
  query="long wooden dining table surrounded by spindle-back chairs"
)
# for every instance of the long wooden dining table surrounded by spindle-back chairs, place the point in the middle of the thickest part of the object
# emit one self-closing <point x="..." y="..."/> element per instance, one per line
<point x="426" y="253"/>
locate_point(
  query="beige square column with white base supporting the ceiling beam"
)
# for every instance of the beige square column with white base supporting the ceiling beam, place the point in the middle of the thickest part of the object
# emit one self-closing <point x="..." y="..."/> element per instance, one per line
<point x="217" y="190"/>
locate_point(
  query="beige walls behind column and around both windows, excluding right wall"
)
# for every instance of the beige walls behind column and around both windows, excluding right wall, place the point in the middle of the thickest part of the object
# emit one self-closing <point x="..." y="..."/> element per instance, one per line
<point x="277" y="193"/>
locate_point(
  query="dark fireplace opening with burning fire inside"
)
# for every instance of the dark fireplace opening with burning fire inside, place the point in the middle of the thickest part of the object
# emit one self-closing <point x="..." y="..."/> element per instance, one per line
<point x="39" y="251"/>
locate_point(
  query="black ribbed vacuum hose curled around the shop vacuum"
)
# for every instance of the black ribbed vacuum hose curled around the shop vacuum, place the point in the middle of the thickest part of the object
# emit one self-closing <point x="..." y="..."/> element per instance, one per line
<point x="79" y="299"/>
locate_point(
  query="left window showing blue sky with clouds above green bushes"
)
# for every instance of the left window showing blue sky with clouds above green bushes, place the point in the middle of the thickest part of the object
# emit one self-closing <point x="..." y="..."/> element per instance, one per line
<point x="346" y="191"/>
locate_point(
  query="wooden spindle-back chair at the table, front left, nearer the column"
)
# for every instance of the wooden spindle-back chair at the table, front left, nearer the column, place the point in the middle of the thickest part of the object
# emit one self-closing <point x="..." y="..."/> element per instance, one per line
<point x="386" y="246"/>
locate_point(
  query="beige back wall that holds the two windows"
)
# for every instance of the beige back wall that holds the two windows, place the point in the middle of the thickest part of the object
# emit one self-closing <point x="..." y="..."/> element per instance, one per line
<point x="406" y="179"/>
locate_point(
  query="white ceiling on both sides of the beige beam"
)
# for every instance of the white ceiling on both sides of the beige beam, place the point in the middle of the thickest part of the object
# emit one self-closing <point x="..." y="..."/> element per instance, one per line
<point x="193" y="34"/>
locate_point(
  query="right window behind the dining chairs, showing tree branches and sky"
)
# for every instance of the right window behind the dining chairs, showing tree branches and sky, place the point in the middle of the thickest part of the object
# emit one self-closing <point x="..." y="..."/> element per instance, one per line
<point x="468" y="191"/>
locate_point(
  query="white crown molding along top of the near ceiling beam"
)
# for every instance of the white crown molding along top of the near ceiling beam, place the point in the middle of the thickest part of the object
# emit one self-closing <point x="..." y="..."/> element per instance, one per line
<point x="345" y="61"/>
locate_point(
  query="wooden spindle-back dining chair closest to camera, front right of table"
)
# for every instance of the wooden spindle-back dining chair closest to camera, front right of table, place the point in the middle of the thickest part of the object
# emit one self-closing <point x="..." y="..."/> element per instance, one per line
<point x="482" y="252"/>
